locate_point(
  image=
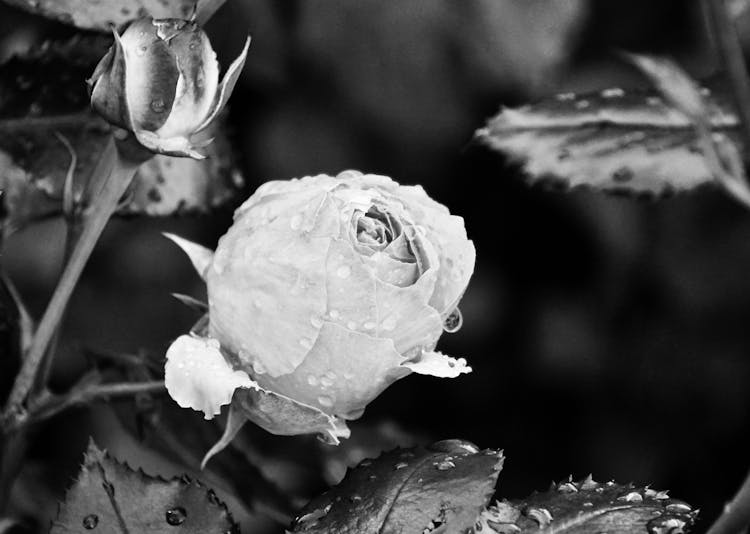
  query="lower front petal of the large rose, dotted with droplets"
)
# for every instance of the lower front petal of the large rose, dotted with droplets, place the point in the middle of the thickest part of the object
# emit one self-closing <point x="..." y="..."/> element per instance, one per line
<point x="343" y="372"/>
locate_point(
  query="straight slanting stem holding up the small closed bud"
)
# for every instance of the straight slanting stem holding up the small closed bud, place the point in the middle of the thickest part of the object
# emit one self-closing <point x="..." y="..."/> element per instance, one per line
<point x="119" y="173"/>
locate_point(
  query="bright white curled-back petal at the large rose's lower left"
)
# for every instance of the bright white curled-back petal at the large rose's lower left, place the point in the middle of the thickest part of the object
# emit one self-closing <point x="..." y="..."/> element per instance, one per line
<point x="197" y="376"/>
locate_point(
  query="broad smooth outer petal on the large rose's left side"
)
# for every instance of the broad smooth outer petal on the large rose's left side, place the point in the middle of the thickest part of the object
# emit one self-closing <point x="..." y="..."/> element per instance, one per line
<point x="267" y="291"/>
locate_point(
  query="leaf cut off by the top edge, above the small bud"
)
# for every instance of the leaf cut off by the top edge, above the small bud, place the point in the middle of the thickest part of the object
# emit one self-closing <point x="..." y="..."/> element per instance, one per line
<point x="89" y="15"/>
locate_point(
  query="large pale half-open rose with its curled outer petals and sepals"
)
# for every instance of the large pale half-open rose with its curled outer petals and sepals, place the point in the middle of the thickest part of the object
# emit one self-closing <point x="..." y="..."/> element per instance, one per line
<point x="323" y="292"/>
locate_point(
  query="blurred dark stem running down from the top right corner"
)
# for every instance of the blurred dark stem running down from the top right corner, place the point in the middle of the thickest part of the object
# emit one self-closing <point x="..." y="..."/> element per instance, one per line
<point x="732" y="60"/>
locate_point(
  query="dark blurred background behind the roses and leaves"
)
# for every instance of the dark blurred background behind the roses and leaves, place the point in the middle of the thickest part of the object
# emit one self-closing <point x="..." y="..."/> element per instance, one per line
<point x="607" y="335"/>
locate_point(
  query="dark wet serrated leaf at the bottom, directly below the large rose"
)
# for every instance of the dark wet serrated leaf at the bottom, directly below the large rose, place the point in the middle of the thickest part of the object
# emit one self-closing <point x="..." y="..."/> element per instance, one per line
<point x="441" y="488"/>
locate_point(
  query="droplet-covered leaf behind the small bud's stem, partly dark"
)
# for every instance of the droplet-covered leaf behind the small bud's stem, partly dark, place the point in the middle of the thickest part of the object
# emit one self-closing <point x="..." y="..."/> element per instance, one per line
<point x="44" y="107"/>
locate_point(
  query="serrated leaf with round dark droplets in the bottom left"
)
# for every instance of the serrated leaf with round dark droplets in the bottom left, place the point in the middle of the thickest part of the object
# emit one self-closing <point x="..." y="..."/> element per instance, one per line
<point x="112" y="498"/>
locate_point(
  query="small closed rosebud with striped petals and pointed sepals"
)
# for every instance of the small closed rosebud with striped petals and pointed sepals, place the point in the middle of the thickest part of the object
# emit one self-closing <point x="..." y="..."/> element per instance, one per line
<point x="160" y="80"/>
